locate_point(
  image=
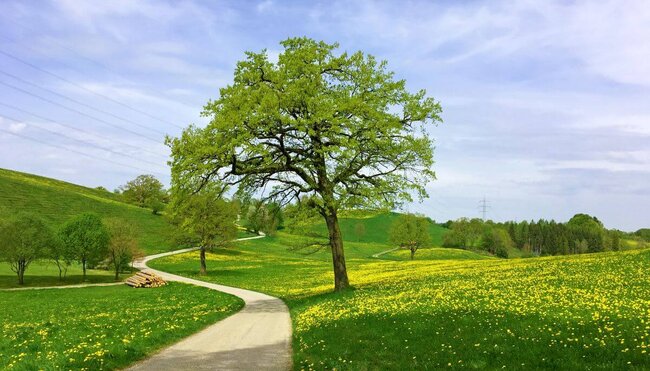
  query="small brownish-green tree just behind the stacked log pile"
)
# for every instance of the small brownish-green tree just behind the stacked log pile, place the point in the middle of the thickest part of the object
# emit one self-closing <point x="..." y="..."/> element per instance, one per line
<point x="123" y="245"/>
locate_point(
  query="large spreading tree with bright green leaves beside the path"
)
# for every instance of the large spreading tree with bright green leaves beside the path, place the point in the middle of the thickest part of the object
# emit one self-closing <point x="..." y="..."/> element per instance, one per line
<point x="340" y="128"/>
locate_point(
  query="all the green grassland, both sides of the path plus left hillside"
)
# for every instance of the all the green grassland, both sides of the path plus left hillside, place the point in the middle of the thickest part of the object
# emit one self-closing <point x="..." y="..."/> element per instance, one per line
<point x="448" y="308"/>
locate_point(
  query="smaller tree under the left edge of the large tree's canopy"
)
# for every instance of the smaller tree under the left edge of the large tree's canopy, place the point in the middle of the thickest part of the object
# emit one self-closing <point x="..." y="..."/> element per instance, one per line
<point x="206" y="216"/>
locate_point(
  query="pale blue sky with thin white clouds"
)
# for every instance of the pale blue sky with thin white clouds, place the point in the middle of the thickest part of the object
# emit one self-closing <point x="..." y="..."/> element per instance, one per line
<point x="546" y="104"/>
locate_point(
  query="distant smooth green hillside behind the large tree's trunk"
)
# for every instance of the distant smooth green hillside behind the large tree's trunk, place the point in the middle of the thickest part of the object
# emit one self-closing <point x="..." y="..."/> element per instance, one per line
<point x="375" y="228"/>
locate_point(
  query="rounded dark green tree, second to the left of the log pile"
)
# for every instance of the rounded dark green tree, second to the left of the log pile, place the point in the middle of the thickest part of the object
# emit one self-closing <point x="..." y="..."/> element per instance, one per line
<point x="86" y="240"/>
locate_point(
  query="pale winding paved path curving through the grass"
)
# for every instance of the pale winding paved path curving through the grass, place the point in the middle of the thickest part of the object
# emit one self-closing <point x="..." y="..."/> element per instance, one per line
<point x="258" y="337"/>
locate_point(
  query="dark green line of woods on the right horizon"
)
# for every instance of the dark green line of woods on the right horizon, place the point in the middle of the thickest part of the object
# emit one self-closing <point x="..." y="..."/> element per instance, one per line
<point x="581" y="234"/>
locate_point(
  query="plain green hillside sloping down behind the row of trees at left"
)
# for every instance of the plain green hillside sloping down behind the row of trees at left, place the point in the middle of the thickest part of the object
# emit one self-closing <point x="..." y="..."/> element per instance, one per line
<point x="56" y="201"/>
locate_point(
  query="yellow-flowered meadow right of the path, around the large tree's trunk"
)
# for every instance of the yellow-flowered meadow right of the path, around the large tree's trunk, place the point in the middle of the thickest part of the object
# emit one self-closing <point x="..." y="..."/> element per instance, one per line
<point x="449" y="309"/>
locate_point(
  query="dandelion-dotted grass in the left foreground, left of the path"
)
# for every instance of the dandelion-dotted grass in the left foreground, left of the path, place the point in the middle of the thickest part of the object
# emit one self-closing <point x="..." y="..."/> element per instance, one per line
<point x="101" y="327"/>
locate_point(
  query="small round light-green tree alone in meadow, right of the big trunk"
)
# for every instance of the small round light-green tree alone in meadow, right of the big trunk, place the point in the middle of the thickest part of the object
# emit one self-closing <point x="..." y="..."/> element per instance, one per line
<point x="411" y="232"/>
